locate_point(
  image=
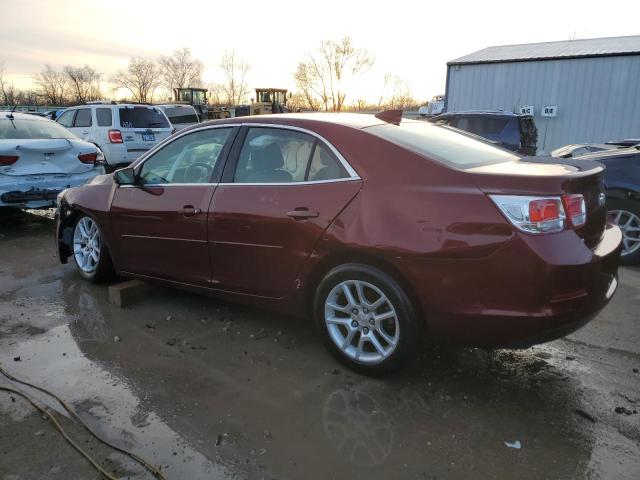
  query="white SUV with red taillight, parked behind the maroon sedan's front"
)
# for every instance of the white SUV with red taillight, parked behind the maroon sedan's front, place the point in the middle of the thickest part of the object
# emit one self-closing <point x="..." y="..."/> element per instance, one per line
<point x="123" y="131"/>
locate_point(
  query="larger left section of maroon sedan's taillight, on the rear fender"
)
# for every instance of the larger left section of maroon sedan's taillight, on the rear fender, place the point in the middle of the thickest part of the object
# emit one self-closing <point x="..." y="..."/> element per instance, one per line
<point x="532" y="214"/>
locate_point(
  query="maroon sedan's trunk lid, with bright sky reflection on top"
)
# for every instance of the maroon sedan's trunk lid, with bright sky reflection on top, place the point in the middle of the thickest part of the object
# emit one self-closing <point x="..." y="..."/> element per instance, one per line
<point x="546" y="176"/>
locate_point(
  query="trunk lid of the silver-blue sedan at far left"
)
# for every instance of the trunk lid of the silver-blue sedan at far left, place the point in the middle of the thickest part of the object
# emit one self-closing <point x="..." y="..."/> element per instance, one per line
<point x="45" y="156"/>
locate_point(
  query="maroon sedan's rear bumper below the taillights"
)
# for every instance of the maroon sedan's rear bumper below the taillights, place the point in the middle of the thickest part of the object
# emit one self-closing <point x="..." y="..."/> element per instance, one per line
<point x="532" y="290"/>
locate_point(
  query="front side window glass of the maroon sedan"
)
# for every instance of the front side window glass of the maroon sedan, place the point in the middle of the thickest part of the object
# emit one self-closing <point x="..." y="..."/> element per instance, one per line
<point x="191" y="158"/>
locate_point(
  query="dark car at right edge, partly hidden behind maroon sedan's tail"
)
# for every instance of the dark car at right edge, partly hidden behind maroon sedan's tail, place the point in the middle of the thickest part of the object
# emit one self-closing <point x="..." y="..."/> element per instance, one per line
<point x="622" y="186"/>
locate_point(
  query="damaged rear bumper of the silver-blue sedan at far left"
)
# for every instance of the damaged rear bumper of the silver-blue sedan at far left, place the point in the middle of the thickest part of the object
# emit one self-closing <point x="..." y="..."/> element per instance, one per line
<point x="39" y="191"/>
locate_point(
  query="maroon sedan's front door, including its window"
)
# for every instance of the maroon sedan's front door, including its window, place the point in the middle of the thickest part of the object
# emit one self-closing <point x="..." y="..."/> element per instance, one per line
<point x="160" y="224"/>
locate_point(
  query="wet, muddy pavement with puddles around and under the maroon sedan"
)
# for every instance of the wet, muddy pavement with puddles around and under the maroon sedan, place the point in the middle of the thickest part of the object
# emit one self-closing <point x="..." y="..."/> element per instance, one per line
<point x="210" y="390"/>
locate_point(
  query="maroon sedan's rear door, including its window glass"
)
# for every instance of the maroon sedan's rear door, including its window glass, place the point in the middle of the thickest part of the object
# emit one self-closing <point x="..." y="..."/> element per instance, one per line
<point x="281" y="189"/>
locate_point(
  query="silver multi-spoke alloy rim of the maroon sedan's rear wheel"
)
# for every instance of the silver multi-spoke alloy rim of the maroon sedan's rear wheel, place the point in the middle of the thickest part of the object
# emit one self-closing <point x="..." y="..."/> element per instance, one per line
<point x="362" y="321"/>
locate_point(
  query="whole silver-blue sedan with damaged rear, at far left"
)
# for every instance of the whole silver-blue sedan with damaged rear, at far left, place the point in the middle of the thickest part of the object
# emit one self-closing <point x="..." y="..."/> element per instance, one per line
<point x="39" y="159"/>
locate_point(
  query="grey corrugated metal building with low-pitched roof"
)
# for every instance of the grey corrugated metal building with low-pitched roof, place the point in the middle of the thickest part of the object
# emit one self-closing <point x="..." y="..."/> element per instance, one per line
<point x="578" y="90"/>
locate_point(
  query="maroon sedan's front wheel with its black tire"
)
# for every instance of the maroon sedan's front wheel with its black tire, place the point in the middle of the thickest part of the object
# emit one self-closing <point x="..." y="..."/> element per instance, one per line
<point x="90" y="254"/>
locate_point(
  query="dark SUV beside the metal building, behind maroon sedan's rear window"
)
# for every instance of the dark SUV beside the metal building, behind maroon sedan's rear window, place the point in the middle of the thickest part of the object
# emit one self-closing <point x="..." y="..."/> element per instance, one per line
<point x="517" y="133"/>
